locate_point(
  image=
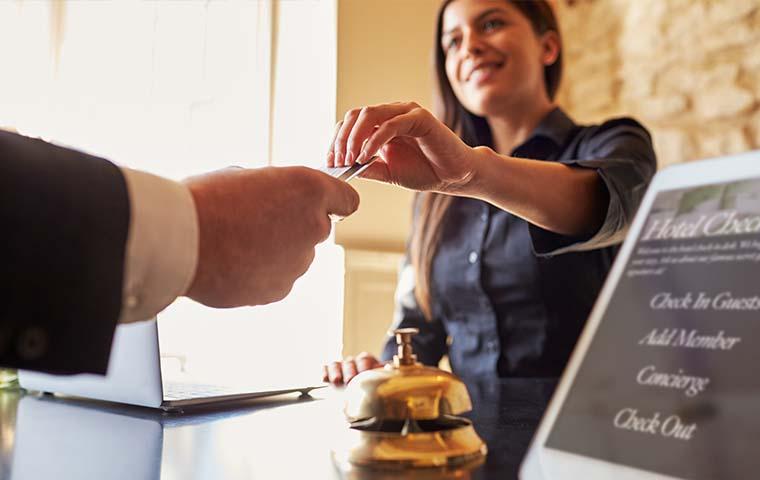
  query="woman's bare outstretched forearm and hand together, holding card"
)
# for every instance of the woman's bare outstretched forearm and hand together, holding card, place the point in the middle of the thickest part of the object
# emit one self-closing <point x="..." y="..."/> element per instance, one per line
<point x="418" y="152"/>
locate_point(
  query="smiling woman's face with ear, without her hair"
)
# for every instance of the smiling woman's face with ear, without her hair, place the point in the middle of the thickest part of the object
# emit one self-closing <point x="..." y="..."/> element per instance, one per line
<point x="494" y="59"/>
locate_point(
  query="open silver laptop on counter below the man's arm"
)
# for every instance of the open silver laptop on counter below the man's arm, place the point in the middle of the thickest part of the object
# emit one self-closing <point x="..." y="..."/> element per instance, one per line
<point x="135" y="377"/>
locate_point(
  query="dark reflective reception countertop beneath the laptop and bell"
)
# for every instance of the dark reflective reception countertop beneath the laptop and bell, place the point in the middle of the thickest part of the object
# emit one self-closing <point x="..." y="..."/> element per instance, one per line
<point x="284" y="437"/>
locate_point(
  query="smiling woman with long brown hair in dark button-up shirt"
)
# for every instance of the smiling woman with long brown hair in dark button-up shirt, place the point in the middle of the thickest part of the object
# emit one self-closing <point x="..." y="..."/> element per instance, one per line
<point x="520" y="211"/>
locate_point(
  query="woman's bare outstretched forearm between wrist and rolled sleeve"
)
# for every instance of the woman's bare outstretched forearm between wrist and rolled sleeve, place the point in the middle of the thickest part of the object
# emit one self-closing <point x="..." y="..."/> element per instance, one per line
<point x="556" y="197"/>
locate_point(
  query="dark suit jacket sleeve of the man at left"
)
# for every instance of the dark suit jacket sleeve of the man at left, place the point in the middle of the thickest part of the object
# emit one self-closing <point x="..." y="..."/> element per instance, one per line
<point x="64" y="217"/>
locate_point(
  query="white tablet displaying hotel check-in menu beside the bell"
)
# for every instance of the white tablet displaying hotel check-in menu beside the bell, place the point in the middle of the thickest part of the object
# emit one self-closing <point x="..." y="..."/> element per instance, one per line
<point x="663" y="382"/>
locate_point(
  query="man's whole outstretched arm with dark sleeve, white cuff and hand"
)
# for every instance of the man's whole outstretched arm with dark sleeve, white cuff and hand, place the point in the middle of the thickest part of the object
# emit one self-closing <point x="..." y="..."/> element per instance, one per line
<point x="71" y="250"/>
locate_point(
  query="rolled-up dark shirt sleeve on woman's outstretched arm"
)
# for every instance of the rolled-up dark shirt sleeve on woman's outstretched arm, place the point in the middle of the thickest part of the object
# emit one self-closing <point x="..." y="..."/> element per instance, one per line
<point x="621" y="152"/>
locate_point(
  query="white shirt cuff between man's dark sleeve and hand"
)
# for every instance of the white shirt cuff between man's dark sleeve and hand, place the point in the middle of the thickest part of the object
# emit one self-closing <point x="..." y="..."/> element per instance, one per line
<point x="162" y="245"/>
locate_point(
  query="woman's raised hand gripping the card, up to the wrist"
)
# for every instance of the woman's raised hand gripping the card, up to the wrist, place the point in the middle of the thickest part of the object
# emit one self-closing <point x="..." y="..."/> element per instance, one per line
<point x="414" y="149"/>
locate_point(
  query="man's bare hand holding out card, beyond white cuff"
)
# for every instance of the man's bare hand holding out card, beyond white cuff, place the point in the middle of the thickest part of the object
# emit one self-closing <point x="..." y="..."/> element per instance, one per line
<point x="258" y="229"/>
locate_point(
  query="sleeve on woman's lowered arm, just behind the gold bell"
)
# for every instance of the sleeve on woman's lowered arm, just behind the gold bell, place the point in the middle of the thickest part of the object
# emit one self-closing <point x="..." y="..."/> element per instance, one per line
<point x="430" y="344"/>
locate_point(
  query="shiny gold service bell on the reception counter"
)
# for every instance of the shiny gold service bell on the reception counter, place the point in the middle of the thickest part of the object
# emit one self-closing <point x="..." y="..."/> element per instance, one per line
<point x="403" y="415"/>
